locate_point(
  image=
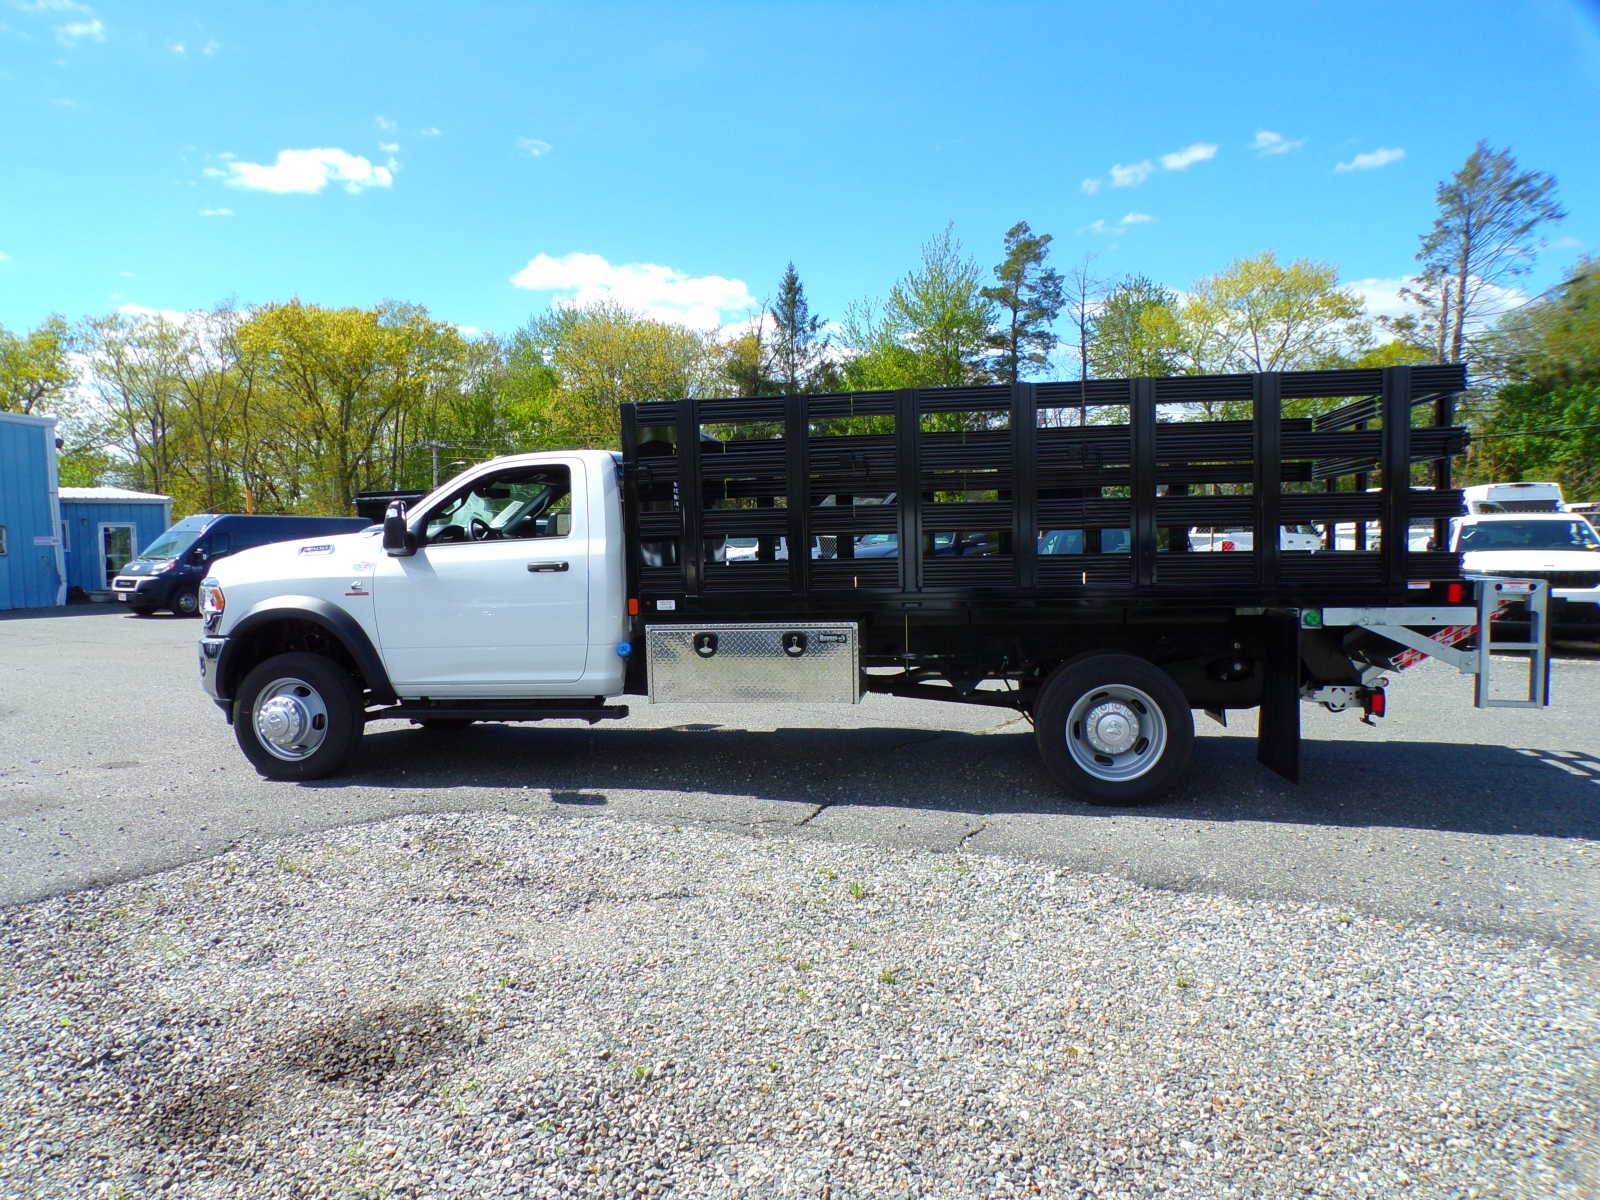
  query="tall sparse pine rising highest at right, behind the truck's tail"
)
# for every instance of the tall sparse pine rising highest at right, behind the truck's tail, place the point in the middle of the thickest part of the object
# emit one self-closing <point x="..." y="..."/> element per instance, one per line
<point x="1487" y="233"/>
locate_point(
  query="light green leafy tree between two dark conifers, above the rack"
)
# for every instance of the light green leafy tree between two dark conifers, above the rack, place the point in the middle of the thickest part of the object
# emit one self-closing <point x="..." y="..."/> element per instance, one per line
<point x="934" y="330"/>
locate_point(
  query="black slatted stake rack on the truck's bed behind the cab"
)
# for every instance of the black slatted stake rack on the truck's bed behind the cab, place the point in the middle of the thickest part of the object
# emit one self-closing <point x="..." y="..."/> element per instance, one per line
<point x="1132" y="494"/>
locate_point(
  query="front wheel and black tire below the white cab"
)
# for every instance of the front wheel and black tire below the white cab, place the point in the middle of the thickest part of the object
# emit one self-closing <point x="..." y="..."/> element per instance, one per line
<point x="310" y="686"/>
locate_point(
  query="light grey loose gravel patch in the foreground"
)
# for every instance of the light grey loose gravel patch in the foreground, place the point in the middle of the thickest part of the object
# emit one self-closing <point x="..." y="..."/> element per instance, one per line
<point x="479" y="1006"/>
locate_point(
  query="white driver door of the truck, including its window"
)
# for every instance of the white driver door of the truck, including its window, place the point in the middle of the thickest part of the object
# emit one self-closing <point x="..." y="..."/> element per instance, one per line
<point x="495" y="602"/>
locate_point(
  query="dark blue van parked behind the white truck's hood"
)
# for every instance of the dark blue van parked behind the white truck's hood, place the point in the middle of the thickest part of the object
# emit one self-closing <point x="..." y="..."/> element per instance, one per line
<point x="167" y="574"/>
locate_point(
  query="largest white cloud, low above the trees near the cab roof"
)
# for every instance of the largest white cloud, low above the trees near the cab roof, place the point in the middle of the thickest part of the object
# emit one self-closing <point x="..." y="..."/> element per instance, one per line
<point x="700" y="302"/>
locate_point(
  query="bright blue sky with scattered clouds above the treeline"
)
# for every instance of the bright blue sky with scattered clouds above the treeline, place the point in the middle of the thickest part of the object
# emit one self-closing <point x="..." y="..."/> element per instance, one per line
<point x="486" y="159"/>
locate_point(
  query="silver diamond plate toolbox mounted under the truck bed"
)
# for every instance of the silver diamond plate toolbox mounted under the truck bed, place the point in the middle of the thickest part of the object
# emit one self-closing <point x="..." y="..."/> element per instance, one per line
<point x="729" y="665"/>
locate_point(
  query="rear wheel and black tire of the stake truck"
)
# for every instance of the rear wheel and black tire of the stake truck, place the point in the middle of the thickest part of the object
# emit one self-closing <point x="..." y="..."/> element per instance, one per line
<point x="1137" y="703"/>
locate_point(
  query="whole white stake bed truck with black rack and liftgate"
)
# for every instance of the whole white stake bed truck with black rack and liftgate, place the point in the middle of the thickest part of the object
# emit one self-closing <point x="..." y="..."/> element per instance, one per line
<point x="977" y="545"/>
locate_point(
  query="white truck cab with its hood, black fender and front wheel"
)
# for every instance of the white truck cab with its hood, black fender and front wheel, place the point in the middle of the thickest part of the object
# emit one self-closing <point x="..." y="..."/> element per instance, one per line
<point x="503" y="586"/>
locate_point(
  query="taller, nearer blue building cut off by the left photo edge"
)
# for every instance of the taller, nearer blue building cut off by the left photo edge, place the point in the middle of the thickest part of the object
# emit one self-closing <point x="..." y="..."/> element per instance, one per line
<point x="33" y="569"/>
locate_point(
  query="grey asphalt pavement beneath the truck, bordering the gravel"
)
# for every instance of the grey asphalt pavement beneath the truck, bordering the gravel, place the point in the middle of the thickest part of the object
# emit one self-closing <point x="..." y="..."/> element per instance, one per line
<point x="114" y="766"/>
